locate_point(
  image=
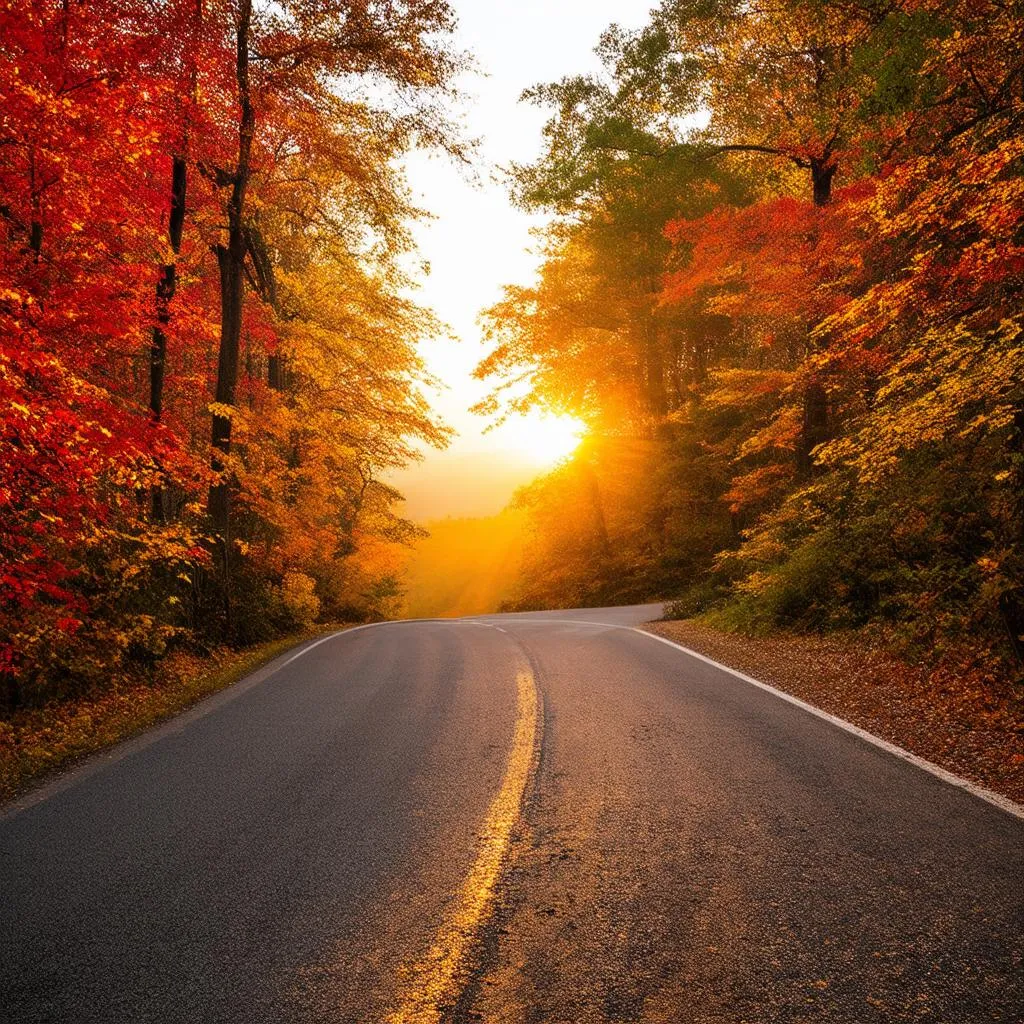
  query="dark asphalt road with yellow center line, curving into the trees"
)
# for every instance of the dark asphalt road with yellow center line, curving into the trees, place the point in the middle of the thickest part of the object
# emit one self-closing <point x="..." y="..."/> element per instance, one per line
<point x="519" y="819"/>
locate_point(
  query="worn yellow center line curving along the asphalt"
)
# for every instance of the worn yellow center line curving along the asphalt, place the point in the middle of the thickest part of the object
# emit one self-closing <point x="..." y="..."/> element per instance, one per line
<point x="441" y="976"/>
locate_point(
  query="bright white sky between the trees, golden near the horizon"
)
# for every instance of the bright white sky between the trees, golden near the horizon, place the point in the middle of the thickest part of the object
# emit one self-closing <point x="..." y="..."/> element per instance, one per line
<point x="479" y="242"/>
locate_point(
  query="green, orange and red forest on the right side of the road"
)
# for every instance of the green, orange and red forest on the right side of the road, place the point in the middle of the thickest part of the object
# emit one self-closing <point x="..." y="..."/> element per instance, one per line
<point x="783" y="287"/>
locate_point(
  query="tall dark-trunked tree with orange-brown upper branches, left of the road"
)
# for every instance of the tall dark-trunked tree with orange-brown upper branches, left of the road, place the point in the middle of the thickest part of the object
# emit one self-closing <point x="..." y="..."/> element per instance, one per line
<point x="287" y="59"/>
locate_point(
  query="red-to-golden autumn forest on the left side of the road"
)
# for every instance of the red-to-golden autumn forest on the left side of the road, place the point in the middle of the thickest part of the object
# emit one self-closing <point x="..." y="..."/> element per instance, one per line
<point x="207" y="351"/>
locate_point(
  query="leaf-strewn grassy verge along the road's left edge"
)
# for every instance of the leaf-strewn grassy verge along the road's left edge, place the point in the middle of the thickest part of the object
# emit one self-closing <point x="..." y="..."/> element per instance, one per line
<point x="36" y="743"/>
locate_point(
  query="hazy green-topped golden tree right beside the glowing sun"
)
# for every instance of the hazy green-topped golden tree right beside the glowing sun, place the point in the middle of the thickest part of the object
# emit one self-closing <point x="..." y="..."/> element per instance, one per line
<point x="594" y="337"/>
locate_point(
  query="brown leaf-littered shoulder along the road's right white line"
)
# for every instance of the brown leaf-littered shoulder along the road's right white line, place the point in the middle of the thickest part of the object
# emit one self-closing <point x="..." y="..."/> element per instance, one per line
<point x="968" y="726"/>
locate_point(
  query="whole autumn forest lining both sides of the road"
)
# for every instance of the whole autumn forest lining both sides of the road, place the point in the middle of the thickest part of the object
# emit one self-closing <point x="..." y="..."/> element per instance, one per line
<point x="781" y="286"/>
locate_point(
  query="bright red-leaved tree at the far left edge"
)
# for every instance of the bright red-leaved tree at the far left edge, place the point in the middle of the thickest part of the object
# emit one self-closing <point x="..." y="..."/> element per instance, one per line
<point x="79" y="149"/>
